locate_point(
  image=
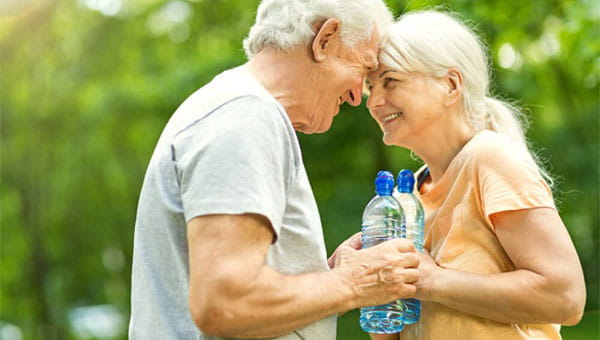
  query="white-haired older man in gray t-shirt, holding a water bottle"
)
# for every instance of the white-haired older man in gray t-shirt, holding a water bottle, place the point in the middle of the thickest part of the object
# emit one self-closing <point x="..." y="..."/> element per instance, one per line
<point x="228" y="239"/>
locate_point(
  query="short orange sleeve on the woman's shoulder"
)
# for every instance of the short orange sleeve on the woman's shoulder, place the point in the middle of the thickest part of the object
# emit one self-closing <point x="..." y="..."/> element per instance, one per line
<point x="509" y="179"/>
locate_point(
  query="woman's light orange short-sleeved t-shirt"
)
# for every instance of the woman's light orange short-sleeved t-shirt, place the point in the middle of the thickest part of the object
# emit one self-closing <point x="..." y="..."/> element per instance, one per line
<point x="489" y="175"/>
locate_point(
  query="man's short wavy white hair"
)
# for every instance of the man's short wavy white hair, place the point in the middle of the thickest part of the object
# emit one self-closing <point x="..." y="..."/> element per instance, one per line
<point x="285" y="24"/>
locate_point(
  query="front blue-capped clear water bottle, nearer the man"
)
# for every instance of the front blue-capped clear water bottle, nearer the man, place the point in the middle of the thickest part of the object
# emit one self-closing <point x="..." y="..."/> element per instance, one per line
<point x="382" y="221"/>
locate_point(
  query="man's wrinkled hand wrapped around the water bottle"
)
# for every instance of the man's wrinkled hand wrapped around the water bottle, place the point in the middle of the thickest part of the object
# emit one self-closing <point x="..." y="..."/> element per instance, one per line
<point x="380" y="274"/>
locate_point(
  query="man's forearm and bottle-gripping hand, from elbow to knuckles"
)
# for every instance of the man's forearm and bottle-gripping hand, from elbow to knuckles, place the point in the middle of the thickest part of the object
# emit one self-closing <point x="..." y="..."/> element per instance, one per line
<point x="266" y="303"/>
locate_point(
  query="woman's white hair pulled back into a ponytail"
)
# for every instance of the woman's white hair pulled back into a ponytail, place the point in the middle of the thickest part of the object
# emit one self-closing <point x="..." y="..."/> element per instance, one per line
<point x="432" y="42"/>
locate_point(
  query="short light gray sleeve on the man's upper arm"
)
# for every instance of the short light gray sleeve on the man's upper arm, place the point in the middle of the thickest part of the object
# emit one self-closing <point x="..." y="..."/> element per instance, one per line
<point x="237" y="160"/>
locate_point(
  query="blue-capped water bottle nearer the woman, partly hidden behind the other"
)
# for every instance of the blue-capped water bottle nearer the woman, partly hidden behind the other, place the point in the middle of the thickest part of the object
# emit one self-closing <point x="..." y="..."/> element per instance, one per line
<point x="414" y="219"/>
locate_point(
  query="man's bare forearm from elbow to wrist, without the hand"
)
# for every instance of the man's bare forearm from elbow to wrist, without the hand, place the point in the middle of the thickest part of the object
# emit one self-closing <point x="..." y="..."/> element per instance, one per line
<point x="274" y="304"/>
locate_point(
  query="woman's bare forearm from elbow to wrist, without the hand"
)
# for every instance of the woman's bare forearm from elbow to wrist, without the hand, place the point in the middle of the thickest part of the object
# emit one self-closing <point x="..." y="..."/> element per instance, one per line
<point x="519" y="296"/>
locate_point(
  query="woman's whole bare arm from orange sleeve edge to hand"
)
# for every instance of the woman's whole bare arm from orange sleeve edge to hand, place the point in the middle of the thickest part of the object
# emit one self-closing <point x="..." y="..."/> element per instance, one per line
<point x="547" y="286"/>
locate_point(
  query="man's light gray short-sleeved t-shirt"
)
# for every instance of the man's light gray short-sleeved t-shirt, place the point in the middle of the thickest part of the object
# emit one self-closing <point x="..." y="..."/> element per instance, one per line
<point x="228" y="149"/>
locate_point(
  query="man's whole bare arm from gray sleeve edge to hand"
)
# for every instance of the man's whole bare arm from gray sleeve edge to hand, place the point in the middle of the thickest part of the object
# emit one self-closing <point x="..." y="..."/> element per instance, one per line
<point x="234" y="294"/>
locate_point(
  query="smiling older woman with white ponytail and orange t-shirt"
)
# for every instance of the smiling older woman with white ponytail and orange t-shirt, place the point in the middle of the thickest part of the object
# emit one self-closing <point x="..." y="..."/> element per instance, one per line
<point x="500" y="263"/>
